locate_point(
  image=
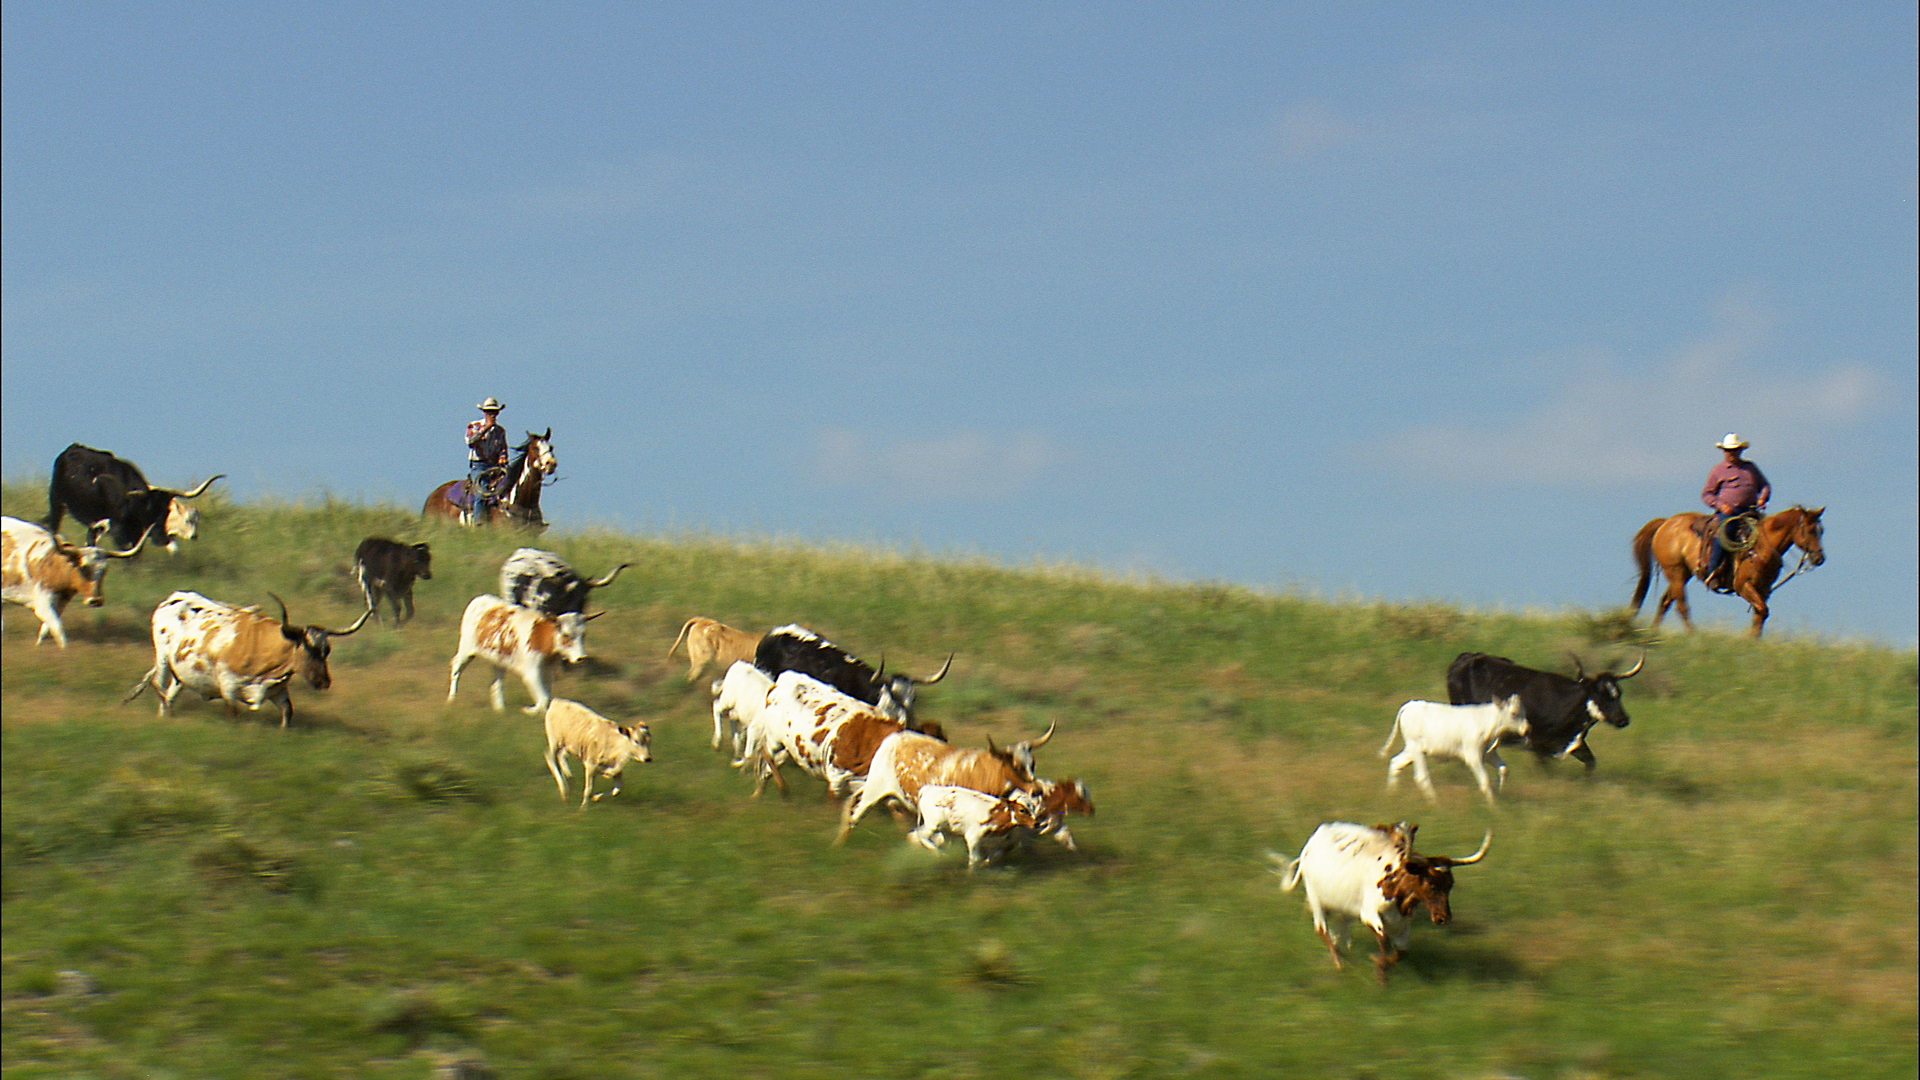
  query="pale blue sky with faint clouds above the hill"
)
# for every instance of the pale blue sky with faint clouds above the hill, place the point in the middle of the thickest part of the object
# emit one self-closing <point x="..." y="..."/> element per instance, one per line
<point x="1180" y="289"/>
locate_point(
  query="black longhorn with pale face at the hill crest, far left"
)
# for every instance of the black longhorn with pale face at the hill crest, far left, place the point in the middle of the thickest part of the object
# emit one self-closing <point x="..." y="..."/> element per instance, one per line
<point x="110" y="497"/>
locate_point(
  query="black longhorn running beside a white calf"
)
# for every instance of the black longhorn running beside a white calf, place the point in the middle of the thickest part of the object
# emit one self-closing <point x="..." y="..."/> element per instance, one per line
<point x="1560" y="710"/>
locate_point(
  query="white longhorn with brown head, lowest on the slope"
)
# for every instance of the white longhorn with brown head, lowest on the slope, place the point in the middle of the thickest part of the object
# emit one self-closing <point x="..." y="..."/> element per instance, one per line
<point x="1374" y="875"/>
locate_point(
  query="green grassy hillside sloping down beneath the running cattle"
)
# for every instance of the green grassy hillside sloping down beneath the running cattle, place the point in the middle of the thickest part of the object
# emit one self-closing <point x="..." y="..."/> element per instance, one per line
<point x="396" y="885"/>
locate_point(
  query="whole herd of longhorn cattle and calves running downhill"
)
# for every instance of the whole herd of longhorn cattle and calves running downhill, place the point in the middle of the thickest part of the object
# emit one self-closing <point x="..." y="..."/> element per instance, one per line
<point x="784" y="699"/>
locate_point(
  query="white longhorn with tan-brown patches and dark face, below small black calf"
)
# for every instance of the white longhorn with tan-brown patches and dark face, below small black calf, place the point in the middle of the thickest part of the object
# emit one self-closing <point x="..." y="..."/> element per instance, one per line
<point x="235" y="654"/>
